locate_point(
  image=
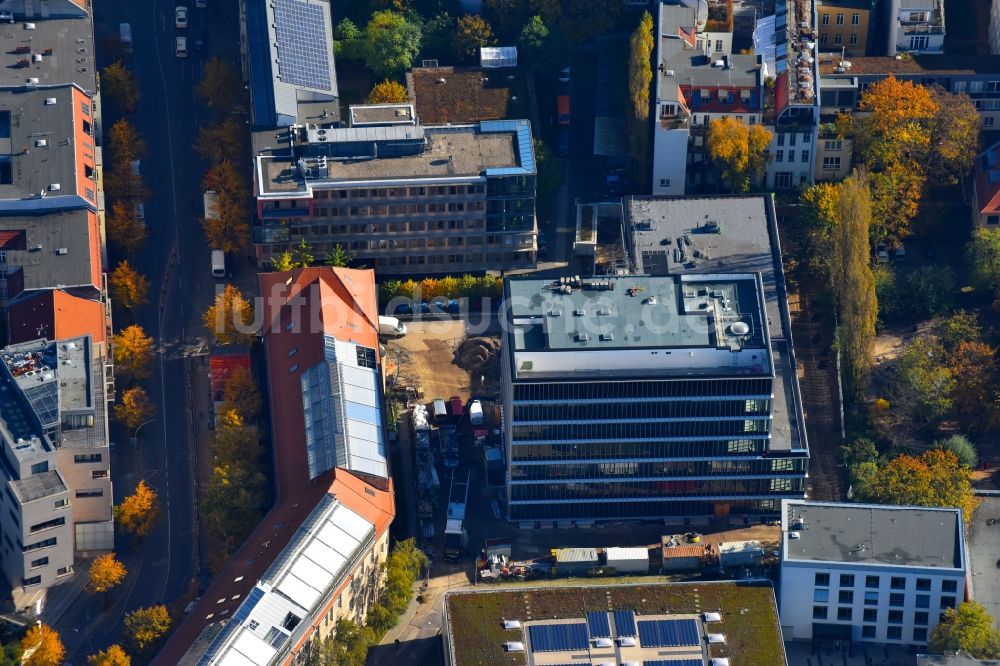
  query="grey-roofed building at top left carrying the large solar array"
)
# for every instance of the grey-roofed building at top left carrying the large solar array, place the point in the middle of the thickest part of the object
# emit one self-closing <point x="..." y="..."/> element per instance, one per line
<point x="287" y="49"/>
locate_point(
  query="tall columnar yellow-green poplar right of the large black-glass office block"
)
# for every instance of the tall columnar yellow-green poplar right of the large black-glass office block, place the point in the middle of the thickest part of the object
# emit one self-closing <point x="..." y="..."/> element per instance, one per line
<point x="853" y="283"/>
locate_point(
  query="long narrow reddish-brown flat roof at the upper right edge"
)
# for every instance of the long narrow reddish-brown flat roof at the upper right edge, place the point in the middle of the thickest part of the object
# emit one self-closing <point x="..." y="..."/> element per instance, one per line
<point x="907" y="63"/>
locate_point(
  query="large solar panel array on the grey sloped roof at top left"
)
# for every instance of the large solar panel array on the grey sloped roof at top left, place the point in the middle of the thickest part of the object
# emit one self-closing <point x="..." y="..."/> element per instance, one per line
<point x="303" y="54"/>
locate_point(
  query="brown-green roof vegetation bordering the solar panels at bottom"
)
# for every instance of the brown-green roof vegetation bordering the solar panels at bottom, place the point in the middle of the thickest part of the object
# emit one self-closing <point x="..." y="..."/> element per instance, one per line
<point x="750" y="620"/>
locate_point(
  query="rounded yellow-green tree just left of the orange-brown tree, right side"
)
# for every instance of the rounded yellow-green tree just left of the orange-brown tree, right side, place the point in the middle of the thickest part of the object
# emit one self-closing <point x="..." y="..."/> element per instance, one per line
<point x="924" y="384"/>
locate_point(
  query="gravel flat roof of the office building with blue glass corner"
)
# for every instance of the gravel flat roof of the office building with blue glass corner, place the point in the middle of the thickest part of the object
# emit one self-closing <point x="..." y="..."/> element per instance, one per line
<point x="458" y="152"/>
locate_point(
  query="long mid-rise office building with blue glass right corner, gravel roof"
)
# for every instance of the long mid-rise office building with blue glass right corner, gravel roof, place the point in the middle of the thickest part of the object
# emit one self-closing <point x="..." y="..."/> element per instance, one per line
<point x="398" y="196"/>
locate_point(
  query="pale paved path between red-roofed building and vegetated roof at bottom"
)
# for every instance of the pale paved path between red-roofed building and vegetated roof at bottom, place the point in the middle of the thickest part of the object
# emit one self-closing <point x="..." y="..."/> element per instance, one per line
<point x="419" y="627"/>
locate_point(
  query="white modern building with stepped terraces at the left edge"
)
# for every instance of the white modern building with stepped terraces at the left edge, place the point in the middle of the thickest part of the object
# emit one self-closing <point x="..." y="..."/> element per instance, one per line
<point x="55" y="467"/>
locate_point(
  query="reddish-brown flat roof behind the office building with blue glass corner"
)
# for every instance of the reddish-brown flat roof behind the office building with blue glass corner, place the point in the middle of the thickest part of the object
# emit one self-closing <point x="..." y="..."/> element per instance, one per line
<point x="467" y="94"/>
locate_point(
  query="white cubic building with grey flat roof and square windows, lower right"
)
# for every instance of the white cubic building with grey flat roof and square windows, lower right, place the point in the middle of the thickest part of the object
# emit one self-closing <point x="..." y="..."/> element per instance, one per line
<point x="869" y="573"/>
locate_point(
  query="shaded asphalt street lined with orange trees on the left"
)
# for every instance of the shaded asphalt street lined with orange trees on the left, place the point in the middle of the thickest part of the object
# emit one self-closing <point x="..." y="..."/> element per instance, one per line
<point x="176" y="260"/>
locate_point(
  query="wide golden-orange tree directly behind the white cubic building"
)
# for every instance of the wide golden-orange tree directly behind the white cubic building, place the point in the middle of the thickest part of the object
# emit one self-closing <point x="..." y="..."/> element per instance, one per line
<point x="935" y="478"/>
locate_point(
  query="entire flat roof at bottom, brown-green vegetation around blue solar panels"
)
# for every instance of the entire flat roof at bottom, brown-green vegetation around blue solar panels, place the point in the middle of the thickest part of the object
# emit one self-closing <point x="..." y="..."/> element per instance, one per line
<point x="476" y="633"/>
